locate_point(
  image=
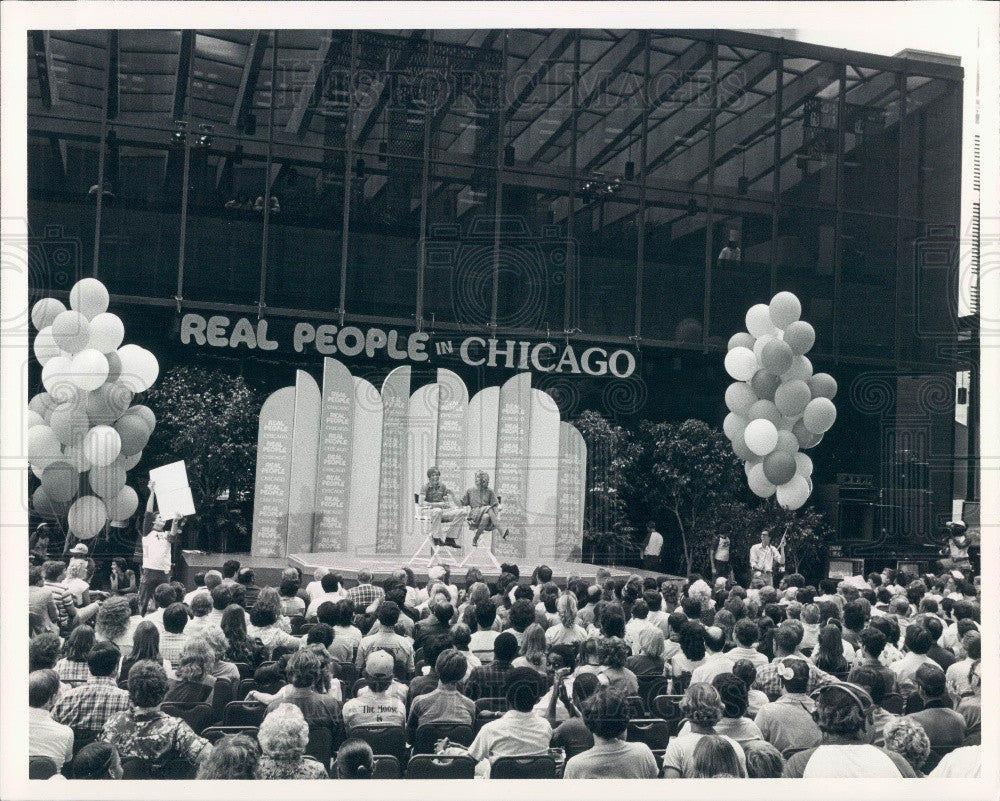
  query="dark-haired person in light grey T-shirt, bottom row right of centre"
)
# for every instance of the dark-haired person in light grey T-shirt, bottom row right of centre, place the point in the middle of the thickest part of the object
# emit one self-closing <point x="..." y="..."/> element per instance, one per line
<point x="605" y="713"/>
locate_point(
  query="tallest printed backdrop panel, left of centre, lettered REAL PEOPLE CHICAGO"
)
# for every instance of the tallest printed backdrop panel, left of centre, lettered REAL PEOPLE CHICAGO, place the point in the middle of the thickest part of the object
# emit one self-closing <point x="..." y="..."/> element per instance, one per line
<point x="333" y="466"/>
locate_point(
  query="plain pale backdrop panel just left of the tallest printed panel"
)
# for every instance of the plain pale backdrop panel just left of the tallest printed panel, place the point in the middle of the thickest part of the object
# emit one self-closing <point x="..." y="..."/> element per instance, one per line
<point x="305" y="446"/>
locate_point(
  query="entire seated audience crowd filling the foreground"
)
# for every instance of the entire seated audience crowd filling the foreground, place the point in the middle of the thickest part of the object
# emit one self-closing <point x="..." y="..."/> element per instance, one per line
<point x="605" y="678"/>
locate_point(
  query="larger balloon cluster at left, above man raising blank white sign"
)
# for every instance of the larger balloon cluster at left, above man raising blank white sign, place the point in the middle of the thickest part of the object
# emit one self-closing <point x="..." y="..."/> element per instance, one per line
<point x="84" y="434"/>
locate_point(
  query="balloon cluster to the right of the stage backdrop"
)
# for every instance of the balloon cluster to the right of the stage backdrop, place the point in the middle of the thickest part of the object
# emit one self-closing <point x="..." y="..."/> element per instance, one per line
<point x="777" y="407"/>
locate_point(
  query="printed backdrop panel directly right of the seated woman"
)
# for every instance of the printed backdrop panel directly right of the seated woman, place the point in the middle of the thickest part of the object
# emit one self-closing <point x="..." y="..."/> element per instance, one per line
<point x="511" y="477"/>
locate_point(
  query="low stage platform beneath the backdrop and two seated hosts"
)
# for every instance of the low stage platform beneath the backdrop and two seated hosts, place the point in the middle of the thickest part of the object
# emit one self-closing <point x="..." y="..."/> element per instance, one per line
<point x="268" y="570"/>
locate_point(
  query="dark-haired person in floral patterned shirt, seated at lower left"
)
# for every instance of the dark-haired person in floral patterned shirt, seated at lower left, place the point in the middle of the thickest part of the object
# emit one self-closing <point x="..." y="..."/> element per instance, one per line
<point x="145" y="732"/>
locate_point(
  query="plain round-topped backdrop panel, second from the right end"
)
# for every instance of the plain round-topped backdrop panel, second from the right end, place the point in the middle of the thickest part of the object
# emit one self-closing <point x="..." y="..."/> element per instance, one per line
<point x="543" y="475"/>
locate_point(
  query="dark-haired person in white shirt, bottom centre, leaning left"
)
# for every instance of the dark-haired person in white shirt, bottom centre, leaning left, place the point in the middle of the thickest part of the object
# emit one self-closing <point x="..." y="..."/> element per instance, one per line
<point x="519" y="731"/>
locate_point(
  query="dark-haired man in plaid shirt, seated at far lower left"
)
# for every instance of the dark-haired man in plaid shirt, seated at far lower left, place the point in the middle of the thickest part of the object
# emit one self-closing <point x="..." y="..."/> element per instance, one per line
<point x="86" y="708"/>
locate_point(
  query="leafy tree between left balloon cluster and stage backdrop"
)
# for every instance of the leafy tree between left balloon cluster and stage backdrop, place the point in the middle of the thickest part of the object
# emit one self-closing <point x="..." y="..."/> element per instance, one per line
<point x="209" y="420"/>
